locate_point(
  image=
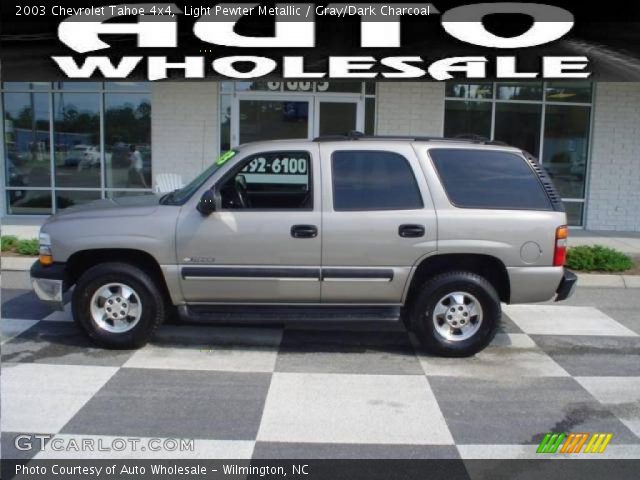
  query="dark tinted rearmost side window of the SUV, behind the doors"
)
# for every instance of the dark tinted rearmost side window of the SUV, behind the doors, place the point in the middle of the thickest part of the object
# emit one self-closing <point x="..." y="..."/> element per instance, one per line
<point x="489" y="179"/>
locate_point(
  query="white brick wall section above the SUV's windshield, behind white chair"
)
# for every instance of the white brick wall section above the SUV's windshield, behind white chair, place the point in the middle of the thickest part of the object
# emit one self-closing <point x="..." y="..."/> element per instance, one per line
<point x="184" y="127"/>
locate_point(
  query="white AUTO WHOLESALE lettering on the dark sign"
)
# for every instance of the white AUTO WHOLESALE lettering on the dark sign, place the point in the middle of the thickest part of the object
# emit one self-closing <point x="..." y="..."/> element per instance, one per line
<point x="156" y="27"/>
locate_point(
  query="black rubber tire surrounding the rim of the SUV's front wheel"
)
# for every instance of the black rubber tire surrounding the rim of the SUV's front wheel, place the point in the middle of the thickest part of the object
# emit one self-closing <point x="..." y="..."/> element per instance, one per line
<point x="153" y="308"/>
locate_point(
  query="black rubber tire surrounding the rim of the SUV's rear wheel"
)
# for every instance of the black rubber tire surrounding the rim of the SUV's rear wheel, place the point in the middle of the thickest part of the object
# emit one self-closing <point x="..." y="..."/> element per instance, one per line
<point x="423" y="324"/>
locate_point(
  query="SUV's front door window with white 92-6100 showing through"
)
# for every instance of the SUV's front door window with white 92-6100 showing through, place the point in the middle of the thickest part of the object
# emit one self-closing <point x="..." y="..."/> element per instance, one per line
<point x="270" y="181"/>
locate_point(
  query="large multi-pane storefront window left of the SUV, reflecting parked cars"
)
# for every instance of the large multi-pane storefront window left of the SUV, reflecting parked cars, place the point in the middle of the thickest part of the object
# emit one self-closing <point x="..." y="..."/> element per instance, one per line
<point x="57" y="127"/>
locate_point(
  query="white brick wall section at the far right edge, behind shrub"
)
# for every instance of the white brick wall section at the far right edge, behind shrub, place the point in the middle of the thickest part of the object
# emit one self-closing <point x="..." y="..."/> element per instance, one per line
<point x="614" y="187"/>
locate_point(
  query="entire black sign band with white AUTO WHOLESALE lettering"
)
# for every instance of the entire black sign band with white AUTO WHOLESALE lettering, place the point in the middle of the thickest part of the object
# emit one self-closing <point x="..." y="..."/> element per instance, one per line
<point x="312" y="42"/>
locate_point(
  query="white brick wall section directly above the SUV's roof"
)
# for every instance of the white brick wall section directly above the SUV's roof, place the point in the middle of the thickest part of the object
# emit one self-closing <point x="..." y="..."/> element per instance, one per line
<point x="410" y="108"/>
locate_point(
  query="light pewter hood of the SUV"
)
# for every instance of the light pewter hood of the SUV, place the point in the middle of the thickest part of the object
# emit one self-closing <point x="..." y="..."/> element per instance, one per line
<point x="129" y="206"/>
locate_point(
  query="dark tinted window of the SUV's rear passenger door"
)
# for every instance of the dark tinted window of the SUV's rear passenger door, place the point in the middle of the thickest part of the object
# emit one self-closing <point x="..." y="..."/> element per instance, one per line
<point x="365" y="180"/>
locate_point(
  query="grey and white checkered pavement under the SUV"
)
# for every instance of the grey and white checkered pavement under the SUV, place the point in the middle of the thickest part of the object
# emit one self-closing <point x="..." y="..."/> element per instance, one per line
<point x="313" y="392"/>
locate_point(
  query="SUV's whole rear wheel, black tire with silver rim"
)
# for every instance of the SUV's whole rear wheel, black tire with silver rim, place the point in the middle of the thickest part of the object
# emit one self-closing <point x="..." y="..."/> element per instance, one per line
<point x="455" y="314"/>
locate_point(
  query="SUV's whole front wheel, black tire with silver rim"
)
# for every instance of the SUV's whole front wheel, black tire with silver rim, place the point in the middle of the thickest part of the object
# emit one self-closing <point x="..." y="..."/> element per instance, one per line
<point x="117" y="305"/>
